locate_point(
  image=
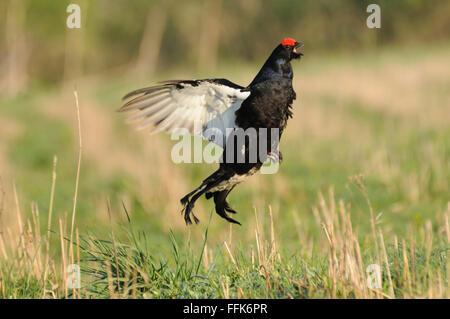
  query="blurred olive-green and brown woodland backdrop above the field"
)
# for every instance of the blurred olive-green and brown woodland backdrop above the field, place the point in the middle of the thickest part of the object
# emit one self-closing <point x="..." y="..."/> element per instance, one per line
<point x="192" y="35"/>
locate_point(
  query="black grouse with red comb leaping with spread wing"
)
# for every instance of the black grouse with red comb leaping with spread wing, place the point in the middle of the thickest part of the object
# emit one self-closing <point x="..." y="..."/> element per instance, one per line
<point x="224" y="108"/>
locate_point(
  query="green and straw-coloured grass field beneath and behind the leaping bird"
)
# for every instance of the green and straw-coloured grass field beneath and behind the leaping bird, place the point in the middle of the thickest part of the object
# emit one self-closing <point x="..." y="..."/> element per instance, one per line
<point x="365" y="180"/>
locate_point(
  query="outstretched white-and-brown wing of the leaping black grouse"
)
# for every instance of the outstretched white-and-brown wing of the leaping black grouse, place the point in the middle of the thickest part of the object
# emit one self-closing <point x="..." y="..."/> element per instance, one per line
<point x="200" y="106"/>
